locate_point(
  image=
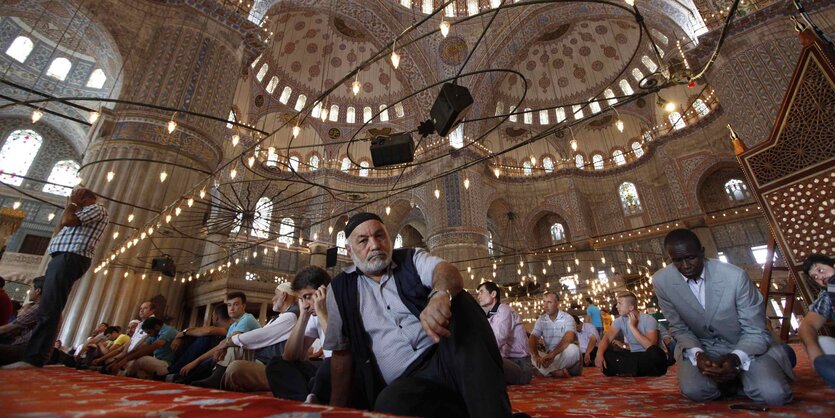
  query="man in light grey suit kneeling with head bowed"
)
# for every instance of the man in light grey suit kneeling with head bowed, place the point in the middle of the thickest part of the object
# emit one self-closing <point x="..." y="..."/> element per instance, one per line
<point x="717" y="317"/>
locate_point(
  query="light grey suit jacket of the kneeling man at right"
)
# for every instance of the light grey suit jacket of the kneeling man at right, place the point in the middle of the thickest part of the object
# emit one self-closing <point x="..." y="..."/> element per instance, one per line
<point x="733" y="317"/>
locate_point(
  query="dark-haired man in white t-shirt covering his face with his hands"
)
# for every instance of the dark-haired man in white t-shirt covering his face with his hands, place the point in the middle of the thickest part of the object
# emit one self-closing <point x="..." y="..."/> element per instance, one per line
<point x="293" y="376"/>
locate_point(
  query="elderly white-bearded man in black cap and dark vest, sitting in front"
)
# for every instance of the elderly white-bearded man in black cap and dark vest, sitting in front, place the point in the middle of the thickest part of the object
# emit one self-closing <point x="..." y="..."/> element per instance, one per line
<point x="406" y="338"/>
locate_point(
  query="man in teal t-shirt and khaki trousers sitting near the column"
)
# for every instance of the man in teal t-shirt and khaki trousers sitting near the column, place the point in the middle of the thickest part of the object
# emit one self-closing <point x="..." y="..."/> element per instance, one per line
<point x="151" y="359"/>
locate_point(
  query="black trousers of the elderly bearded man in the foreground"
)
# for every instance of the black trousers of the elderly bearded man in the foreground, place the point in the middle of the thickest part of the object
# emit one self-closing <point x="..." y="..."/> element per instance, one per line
<point x="462" y="377"/>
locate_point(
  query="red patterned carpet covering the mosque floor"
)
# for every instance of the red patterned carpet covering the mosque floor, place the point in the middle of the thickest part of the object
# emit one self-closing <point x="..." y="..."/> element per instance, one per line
<point x="59" y="392"/>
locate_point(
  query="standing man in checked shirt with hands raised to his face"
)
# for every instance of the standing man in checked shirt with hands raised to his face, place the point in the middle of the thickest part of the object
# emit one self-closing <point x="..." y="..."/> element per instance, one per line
<point x="72" y="249"/>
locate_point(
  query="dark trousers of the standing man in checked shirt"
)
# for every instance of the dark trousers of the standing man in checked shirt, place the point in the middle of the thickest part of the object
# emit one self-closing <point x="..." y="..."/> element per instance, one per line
<point x="61" y="274"/>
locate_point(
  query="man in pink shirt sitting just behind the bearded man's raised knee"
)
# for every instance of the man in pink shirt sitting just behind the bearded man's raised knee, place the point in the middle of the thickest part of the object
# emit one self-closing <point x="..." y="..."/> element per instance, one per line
<point x="510" y="335"/>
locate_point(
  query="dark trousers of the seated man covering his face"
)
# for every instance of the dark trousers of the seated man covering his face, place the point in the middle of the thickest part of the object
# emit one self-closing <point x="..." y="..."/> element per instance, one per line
<point x="295" y="379"/>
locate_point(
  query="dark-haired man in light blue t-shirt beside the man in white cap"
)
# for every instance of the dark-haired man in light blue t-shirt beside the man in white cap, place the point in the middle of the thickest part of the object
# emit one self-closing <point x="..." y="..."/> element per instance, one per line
<point x="241" y="322"/>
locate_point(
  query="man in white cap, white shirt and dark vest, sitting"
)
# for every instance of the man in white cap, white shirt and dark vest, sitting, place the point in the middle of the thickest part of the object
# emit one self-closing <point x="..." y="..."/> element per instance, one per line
<point x="269" y="341"/>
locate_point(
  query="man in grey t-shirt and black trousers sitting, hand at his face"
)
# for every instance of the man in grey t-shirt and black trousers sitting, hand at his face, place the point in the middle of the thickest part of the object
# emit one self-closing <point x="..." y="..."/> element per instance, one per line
<point x="640" y="333"/>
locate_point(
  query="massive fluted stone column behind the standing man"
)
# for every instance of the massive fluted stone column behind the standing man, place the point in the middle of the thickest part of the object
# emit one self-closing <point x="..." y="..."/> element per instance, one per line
<point x="190" y="62"/>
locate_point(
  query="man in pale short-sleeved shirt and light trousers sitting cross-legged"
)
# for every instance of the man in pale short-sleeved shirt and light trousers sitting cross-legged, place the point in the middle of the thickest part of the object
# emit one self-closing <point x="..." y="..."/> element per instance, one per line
<point x="560" y="358"/>
